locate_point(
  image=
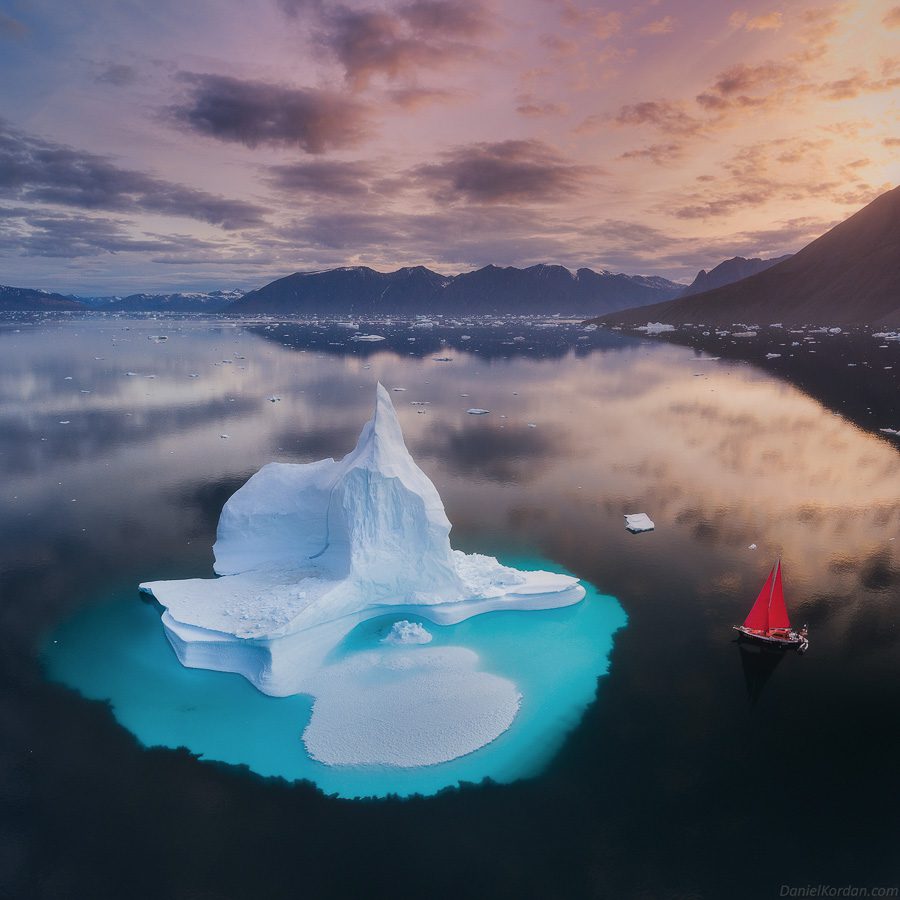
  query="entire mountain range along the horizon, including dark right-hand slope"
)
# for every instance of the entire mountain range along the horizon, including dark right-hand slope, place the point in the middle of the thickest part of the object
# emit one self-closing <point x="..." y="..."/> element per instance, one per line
<point x="849" y="275"/>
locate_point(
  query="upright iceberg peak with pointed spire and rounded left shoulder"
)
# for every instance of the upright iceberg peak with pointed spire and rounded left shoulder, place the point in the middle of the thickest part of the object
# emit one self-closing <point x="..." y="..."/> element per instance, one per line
<point x="373" y="520"/>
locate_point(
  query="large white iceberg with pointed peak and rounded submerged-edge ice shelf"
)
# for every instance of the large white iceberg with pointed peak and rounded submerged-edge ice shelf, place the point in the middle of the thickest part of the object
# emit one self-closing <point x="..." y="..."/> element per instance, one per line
<point x="306" y="553"/>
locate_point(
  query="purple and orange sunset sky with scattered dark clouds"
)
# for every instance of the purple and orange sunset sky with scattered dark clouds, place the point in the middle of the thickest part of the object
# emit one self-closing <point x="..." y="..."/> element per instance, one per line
<point x="224" y="143"/>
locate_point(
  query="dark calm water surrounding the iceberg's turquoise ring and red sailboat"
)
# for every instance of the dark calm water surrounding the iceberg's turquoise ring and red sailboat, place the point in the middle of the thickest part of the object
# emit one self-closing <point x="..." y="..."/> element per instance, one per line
<point x="699" y="771"/>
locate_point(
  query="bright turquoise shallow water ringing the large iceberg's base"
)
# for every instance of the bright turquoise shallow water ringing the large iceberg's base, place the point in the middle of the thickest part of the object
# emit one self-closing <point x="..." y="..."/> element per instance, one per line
<point x="117" y="651"/>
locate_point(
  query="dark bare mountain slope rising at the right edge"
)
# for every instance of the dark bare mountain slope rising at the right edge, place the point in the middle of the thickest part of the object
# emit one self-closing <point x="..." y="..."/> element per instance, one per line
<point x="848" y="276"/>
